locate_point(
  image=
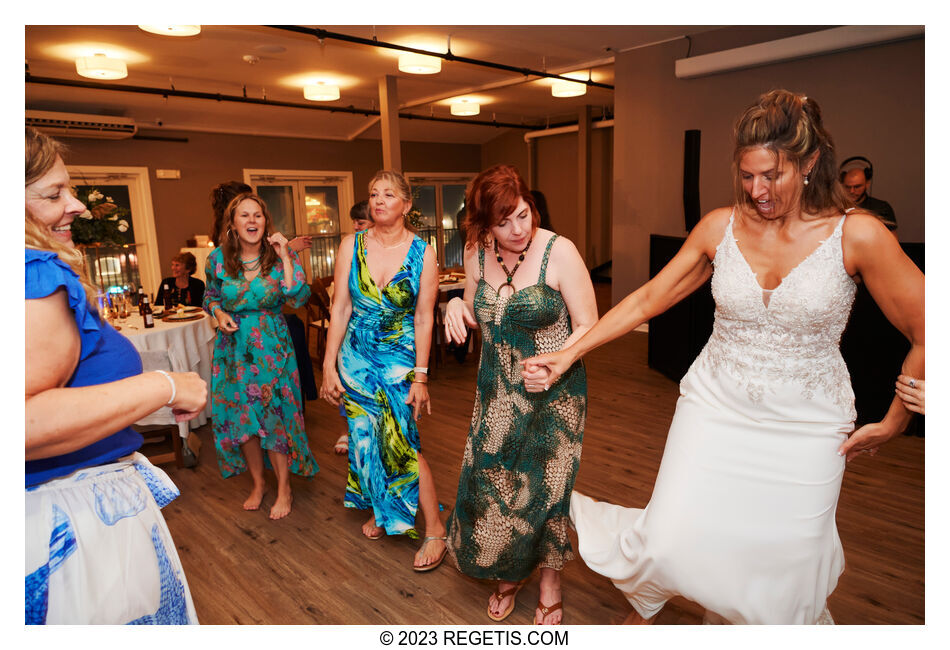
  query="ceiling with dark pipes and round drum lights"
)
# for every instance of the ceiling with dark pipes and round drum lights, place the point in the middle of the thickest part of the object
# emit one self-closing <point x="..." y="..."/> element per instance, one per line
<point x="283" y="61"/>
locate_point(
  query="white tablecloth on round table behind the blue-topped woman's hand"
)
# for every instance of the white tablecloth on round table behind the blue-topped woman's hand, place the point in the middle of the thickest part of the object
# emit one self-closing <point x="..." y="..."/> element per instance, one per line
<point x="189" y="346"/>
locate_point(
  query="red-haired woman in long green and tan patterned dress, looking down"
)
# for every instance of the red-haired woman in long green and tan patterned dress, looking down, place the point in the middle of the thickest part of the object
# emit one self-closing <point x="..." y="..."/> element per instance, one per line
<point x="530" y="292"/>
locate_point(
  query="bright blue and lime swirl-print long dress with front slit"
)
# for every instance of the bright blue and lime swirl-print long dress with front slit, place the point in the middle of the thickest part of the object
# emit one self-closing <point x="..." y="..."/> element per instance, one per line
<point x="375" y="364"/>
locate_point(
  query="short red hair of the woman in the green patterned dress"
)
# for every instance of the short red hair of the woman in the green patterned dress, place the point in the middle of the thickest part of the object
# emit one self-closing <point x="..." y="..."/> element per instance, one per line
<point x="493" y="195"/>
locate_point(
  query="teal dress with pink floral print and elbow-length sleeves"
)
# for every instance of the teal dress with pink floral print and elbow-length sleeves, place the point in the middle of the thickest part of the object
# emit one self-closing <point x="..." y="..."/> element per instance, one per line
<point x="255" y="384"/>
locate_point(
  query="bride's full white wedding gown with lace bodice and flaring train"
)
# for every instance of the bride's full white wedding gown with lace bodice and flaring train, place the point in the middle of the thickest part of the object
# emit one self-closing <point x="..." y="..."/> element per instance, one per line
<point x="742" y="517"/>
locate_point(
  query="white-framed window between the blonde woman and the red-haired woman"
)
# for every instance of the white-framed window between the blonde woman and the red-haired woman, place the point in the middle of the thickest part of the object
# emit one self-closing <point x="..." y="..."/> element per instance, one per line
<point x="441" y="199"/>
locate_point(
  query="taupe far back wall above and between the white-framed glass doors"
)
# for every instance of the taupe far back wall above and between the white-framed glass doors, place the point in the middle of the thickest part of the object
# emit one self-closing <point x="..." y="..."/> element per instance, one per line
<point x="183" y="207"/>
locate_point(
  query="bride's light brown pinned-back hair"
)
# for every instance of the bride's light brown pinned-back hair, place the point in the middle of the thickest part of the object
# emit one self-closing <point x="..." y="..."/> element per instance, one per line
<point x="790" y="126"/>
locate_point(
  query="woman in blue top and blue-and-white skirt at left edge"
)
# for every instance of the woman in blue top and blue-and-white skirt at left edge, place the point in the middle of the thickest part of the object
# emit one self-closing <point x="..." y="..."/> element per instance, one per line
<point x="98" y="550"/>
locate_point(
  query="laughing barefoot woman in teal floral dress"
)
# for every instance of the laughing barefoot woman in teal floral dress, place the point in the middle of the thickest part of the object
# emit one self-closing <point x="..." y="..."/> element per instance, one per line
<point x="255" y="385"/>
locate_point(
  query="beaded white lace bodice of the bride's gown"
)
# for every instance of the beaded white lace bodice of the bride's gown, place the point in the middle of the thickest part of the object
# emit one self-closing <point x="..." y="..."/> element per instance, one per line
<point x="788" y="335"/>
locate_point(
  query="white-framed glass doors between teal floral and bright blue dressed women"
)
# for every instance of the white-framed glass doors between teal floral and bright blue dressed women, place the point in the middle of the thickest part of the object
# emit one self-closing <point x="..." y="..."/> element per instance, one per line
<point x="308" y="202"/>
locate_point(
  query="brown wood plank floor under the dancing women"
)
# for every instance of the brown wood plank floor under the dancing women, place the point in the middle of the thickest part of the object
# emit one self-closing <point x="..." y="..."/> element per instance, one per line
<point x="314" y="567"/>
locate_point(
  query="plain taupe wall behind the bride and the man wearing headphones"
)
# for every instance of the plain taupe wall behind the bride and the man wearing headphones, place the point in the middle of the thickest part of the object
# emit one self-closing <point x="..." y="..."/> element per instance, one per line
<point x="871" y="100"/>
